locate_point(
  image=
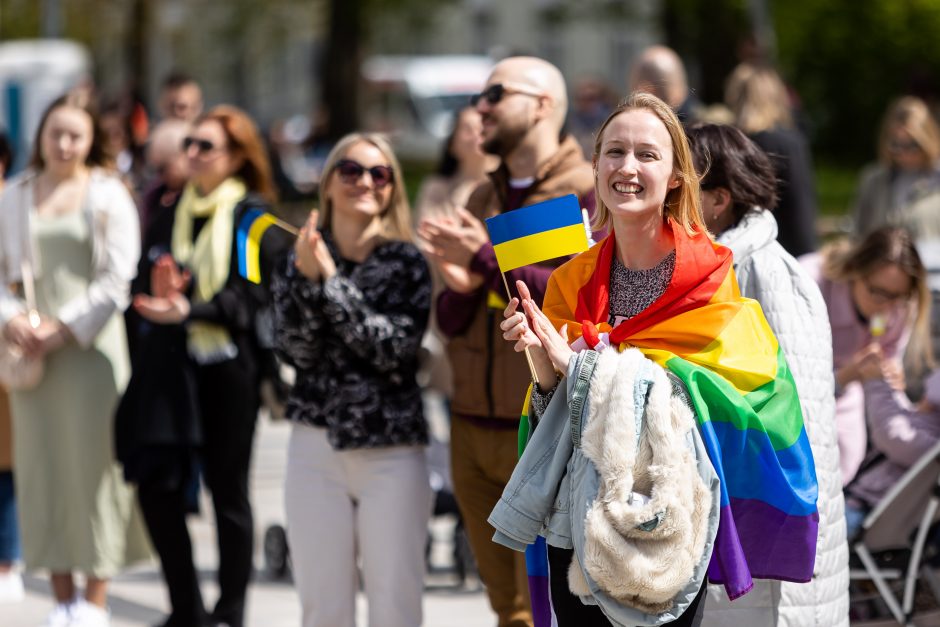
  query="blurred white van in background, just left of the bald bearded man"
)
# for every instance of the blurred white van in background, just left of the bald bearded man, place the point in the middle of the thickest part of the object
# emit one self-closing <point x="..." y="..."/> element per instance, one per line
<point x="413" y="98"/>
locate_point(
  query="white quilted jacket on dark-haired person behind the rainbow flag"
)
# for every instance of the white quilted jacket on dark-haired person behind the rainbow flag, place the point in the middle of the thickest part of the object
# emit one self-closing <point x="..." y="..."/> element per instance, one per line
<point x="796" y="312"/>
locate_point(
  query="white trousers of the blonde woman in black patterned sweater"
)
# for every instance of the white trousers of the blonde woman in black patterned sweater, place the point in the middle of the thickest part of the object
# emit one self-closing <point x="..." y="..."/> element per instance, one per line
<point x="374" y="503"/>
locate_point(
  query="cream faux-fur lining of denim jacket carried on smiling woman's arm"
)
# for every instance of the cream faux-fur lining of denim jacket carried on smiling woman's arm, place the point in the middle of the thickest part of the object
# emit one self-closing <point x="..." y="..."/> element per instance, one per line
<point x="648" y="528"/>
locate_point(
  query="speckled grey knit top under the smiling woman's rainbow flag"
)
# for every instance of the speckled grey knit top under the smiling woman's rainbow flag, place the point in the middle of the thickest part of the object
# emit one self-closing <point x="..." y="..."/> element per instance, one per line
<point x="631" y="292"/>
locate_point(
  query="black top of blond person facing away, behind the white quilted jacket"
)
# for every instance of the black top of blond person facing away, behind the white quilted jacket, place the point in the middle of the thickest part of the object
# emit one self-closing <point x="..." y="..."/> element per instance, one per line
<point x="796" y="210"/>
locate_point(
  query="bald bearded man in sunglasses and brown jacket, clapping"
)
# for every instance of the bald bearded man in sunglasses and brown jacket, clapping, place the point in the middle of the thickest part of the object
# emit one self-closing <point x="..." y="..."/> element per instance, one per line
<point x="523" y="107"/>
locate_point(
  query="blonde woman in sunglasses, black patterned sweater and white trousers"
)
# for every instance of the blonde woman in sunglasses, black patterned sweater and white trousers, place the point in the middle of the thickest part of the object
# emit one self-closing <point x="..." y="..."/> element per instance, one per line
<point x="352" y="304"/>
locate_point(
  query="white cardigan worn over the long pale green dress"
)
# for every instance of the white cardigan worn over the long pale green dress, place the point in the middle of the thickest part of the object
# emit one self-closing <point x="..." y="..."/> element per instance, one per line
<point x="115" y="235"/>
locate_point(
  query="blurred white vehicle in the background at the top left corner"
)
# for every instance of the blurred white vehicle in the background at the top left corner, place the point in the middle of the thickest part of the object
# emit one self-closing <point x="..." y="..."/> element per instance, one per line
<point x="33" y="73"/>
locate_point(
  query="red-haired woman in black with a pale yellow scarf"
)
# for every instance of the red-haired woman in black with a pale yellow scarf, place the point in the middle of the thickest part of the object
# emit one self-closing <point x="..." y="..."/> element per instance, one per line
<point x="204" y="400"/>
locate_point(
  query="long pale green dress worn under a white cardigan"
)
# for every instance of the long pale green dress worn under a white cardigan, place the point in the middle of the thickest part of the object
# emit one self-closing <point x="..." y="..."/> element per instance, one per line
<point x="76" y="512"/>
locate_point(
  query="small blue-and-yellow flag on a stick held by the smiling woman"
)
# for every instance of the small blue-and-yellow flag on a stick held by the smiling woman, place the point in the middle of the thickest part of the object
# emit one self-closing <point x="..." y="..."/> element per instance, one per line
<point x="545" y="230"/>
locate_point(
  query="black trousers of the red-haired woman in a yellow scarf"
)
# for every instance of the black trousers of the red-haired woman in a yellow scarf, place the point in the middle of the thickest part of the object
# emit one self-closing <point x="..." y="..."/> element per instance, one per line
<point x="229" y="402"/>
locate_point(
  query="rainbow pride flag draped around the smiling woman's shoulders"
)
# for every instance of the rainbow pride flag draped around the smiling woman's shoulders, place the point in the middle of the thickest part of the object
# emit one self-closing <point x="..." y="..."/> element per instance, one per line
<point x="749" y="415"/>
